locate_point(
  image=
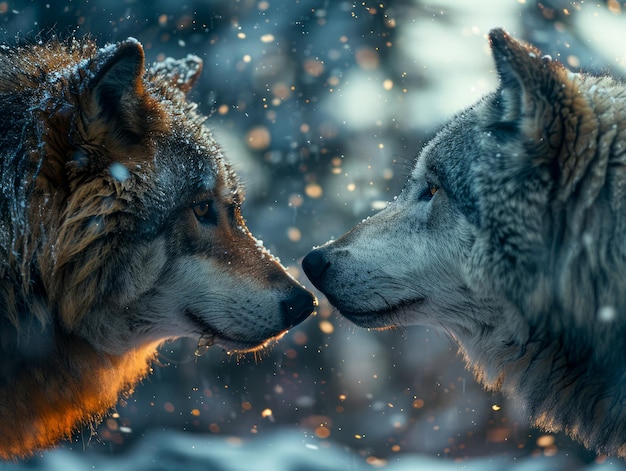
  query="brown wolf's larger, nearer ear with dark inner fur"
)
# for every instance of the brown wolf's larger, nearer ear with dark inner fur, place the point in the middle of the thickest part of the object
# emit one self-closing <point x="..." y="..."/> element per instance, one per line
<point x="116" y="96"/>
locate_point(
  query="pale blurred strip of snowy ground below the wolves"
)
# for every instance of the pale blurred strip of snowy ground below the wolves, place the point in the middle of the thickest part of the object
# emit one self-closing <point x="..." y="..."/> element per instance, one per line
<point x="287" y="450"/>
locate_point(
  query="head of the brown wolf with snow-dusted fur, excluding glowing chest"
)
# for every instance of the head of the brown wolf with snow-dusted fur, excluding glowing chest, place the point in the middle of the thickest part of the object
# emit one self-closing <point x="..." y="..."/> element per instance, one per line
<point x="127" y="219"/>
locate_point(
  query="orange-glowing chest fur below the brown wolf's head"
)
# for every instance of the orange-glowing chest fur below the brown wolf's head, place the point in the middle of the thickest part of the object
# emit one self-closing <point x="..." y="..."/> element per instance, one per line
<point x="48" y="402"/>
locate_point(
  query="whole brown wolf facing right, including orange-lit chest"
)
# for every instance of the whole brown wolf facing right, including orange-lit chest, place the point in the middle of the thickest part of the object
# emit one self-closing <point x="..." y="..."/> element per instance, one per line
<point x="120" y="228"/>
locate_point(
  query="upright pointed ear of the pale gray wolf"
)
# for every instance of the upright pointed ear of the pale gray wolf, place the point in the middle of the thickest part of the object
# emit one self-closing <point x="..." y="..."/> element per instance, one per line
<point x="527" y="79"/>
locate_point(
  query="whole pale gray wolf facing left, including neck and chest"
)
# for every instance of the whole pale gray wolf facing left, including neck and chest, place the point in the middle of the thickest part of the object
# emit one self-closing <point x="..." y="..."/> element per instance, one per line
<point x="510" y="235"/>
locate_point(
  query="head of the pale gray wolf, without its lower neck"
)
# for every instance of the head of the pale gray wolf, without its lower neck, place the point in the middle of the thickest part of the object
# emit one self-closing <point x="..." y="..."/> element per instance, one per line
<point x="508" y="201"/>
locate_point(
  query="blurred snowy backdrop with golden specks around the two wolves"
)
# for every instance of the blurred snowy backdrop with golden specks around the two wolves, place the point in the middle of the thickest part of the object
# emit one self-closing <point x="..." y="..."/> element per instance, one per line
<point x="322" y="106"/>
